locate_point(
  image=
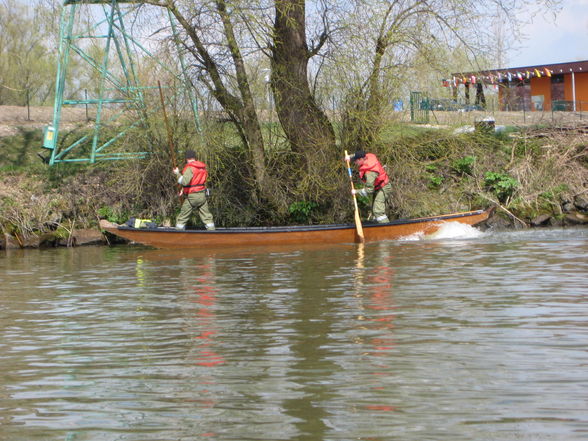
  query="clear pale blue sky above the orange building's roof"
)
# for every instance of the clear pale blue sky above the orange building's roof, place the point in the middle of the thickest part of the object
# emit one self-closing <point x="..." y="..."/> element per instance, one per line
<point x="554" y="40"/>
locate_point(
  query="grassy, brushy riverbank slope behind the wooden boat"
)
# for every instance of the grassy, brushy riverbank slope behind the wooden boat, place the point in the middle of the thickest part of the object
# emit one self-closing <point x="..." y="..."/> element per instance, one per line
<point x="529" y="173"/>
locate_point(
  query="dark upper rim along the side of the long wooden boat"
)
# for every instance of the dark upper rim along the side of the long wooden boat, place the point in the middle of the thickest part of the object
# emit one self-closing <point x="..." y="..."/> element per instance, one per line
<point x="301" y="228"/>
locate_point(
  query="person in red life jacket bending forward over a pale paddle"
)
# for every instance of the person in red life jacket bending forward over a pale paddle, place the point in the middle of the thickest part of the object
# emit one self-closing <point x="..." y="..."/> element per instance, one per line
<point x="376" y="183"/>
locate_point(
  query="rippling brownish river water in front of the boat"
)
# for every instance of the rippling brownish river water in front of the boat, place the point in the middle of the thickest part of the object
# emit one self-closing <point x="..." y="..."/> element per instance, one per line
<point x="464" y="336"/>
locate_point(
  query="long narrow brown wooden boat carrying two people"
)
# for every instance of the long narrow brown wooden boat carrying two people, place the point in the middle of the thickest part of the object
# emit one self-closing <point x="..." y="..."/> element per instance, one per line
<point x="166" y="237"/>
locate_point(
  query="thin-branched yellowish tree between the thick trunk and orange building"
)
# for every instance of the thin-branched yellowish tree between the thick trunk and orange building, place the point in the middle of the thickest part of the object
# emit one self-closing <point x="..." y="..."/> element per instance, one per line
<point x="386" y="34"/>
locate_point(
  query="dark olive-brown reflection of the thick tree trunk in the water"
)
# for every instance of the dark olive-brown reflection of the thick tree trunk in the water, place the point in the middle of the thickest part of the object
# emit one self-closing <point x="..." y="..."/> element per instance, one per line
<point x="312" y="369"/>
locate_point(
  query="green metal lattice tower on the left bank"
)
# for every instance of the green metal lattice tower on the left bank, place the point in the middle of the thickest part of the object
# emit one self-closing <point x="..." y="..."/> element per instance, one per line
<point x="118" y="99"/>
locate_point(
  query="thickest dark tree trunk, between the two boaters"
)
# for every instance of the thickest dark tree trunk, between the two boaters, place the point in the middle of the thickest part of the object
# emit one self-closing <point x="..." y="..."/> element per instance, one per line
<point x="306" y="126"/>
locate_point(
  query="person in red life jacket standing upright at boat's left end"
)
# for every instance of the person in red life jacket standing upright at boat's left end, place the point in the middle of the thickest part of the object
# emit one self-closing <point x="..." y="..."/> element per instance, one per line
<point x="193" y="182"/>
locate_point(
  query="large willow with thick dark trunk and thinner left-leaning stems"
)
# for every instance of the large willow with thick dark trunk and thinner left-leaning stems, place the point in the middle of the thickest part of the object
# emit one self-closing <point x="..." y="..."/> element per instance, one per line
<point x="227" y="39"/>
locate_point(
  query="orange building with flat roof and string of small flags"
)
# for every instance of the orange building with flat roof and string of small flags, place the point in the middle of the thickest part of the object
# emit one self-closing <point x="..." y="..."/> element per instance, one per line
<point x="561" y="86"/>
